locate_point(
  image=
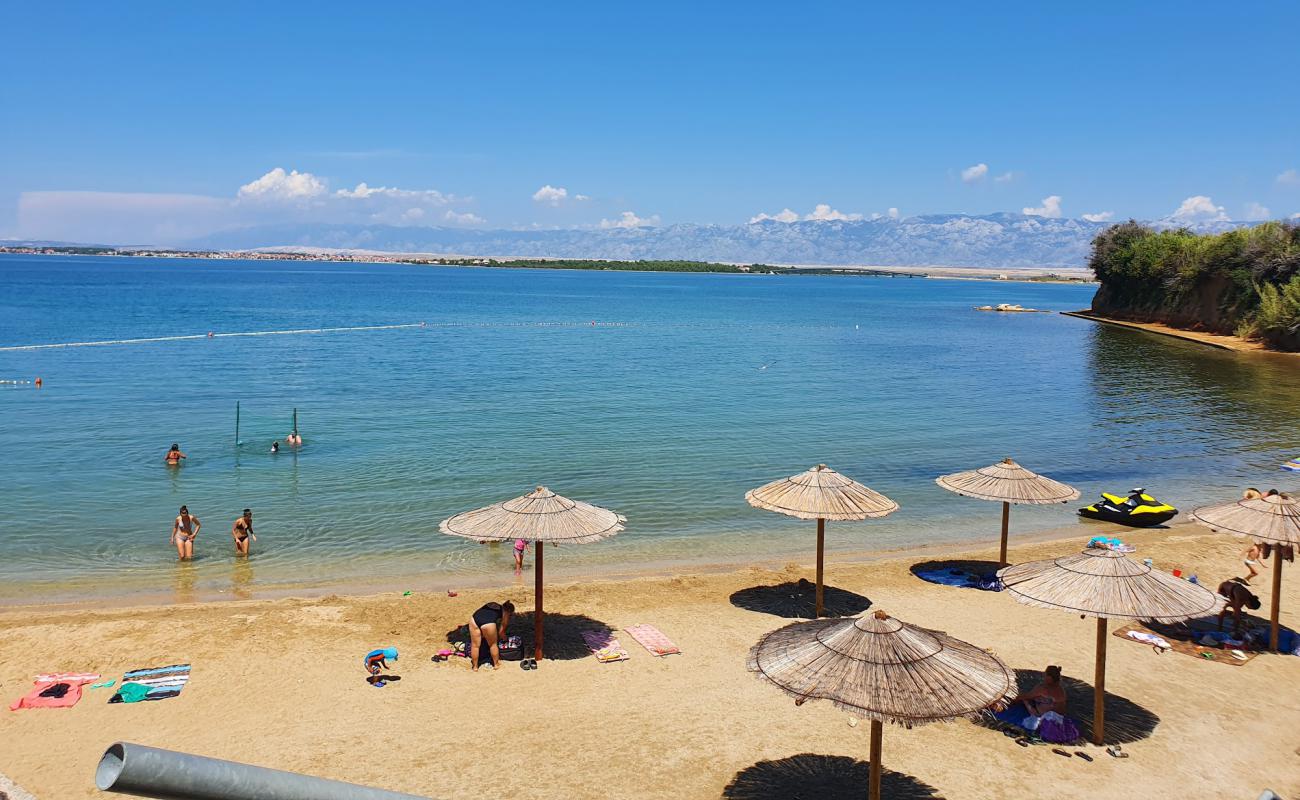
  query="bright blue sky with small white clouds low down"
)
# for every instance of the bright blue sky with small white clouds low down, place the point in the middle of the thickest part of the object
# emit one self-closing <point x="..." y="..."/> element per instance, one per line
<point x="155" y="123"/>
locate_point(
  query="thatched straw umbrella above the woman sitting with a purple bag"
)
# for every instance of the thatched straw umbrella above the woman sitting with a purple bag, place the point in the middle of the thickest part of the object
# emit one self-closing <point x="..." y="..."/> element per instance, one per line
<point x="1108" y="586"/>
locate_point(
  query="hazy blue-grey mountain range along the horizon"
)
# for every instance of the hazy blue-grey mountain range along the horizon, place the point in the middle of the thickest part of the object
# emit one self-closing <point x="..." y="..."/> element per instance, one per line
<point x="998" y="240"/>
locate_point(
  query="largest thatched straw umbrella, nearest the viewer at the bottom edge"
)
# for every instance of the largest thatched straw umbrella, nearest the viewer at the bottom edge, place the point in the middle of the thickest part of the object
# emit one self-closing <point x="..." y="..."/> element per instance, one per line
<point x="885" y="671"/>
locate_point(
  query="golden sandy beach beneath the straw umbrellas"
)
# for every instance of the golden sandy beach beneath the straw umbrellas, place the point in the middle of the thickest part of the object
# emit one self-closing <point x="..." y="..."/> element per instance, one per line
<point x="280" y="684"/>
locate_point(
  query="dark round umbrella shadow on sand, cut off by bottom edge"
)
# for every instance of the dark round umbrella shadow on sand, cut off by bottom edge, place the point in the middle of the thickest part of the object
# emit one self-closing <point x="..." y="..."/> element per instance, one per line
<point x="811" y="777"/>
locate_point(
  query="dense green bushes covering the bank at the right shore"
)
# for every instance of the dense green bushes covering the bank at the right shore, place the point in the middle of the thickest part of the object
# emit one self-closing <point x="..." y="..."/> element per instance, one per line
<point x="1245" y="282"/>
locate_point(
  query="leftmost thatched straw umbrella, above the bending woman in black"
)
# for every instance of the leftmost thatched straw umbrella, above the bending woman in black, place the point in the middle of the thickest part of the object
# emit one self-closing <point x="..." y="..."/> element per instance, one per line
<point x="540" y="517"/>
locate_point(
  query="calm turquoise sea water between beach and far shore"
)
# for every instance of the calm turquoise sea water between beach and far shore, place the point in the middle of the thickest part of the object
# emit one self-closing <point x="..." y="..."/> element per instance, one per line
<point x="688" y="391"/>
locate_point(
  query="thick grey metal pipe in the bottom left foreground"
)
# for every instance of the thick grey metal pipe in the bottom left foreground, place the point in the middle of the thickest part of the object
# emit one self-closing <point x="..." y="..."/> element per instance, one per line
<point x="146" y="772"/>
